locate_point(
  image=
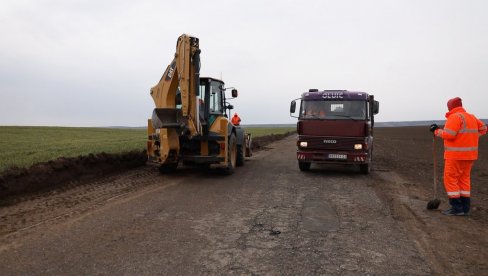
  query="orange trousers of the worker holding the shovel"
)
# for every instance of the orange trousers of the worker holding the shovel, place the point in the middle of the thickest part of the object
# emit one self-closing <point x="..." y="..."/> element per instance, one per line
<point x="457" y="177"/>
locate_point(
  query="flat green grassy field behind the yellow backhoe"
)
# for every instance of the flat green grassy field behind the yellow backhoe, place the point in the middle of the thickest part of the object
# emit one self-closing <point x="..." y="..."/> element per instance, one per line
<point x="24" y="146"/>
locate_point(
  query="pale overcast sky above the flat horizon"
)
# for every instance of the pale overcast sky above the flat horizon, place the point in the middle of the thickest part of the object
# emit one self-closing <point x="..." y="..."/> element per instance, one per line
<point x="92" y="63"/>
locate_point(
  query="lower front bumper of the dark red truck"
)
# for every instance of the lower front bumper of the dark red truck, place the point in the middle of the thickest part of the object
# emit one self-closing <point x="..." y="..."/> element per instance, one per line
<point x="333" y="157"/>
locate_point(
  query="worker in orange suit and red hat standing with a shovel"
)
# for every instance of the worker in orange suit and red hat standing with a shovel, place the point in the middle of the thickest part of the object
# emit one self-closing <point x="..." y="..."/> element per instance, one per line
<point x="461" y="134"/>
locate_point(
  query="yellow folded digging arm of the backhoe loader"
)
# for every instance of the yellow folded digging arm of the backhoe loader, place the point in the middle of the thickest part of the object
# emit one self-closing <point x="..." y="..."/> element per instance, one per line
<point x="183" y="76"/>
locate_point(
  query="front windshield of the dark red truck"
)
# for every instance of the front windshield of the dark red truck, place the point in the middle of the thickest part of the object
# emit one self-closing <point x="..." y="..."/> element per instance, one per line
<point x="340" y="110"/>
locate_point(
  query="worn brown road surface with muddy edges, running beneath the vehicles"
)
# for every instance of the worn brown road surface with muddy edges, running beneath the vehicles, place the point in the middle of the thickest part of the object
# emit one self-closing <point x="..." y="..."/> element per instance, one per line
<point x="268" y="218"/>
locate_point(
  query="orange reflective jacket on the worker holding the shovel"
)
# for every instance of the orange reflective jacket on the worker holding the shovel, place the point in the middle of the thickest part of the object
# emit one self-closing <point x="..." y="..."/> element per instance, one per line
<point x="461" y="134"/>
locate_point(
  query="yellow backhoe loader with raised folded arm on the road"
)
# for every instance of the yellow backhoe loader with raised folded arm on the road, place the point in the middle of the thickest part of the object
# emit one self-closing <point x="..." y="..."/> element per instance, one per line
<point x="190" y="122"/>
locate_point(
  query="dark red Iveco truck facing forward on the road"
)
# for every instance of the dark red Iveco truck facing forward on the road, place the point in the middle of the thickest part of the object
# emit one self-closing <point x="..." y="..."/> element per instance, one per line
<point x="335" y="127"/>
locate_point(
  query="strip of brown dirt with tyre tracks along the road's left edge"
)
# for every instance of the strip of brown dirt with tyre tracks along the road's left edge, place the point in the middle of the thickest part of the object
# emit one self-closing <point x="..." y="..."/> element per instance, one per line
<point x="72" y="201"/>
